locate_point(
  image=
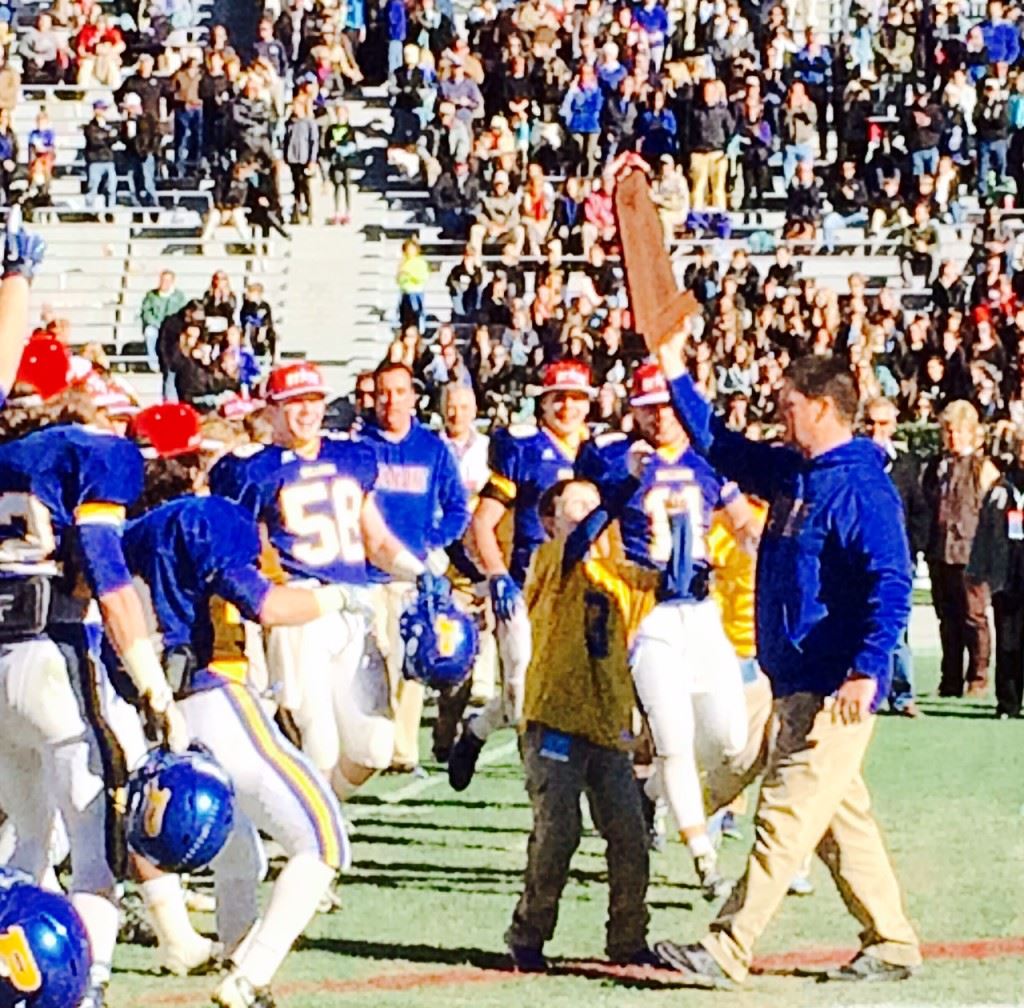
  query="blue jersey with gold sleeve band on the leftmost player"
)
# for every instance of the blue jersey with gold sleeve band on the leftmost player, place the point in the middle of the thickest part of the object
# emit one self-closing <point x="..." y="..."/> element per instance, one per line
<point x="57" y="481"/>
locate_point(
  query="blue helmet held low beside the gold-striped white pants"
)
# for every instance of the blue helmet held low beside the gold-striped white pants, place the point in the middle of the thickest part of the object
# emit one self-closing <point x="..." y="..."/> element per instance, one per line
<point x="181" y="810"/>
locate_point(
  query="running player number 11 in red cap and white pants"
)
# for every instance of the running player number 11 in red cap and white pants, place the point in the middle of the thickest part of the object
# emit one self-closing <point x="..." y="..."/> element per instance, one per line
<point x="687" y="675"/>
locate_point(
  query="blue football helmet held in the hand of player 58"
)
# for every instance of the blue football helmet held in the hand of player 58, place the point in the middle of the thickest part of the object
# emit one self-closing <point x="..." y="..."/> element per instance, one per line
<point x="441" y="641"/>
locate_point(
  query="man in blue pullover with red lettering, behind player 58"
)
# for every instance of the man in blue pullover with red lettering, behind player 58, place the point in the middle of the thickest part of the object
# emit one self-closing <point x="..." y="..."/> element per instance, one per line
<point x="421" y="497"/>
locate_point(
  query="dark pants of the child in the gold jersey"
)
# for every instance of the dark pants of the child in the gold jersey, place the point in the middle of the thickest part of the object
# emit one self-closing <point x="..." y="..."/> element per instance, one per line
<point x="556" y="788"/>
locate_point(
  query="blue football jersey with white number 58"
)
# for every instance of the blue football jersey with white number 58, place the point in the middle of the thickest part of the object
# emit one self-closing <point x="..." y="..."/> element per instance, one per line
<point x="312" y="508"/>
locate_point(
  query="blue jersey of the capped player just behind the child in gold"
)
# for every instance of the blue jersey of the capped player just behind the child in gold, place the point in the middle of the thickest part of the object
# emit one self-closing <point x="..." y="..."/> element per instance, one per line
<point x="525" y="463"/>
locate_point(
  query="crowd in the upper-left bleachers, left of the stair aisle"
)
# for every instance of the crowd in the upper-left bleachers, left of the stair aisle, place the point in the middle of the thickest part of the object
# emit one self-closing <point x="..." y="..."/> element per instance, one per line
<point x="257" y="121"/>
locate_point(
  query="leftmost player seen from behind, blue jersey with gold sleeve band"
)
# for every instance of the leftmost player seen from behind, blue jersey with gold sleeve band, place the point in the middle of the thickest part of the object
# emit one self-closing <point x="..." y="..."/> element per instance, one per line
<point x="64" y="491"/>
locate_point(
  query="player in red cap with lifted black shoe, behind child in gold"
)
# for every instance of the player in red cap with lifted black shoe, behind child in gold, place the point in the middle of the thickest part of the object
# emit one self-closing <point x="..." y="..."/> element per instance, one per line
<point x="525" y="463"/>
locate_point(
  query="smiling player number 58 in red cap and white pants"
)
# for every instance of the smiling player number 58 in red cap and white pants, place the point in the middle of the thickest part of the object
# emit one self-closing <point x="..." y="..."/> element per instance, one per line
<point x="313" y="495"/>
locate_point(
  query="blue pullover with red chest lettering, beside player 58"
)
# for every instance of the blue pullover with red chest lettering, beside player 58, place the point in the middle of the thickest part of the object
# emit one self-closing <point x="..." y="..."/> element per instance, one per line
<point x="419" y="491"/>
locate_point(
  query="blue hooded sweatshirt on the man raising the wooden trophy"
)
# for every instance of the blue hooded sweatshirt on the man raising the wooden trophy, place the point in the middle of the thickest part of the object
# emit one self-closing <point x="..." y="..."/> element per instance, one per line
<point x="834" y="577"/>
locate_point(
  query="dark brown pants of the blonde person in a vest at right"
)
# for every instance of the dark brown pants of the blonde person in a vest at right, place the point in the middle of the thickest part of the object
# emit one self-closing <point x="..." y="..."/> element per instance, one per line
<point x="961" y="606"/>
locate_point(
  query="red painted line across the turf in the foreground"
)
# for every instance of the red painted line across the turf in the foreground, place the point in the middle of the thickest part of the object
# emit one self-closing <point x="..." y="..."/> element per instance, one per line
<point x="462" y="976"/>
